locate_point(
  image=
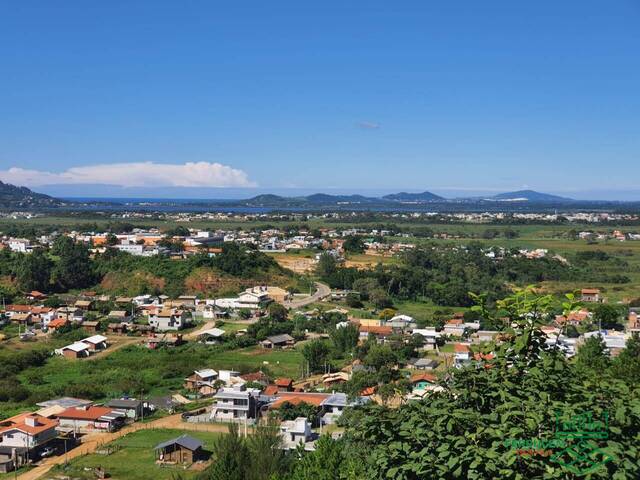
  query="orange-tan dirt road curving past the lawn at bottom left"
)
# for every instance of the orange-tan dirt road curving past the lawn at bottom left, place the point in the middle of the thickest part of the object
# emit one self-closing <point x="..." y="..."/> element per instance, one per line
<point x="90" y="443"/>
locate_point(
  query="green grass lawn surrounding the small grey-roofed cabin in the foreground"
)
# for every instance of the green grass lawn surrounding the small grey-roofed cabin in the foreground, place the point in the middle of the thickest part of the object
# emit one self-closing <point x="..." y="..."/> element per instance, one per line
<point x="134" y="458"/>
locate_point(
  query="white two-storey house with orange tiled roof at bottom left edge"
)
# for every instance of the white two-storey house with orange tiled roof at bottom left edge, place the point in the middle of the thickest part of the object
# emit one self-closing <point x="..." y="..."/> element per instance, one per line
<point x="27" y="430"/>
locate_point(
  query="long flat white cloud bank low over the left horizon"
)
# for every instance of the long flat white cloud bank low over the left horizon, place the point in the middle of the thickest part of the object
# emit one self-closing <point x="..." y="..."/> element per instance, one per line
<point x="137" y="174"/>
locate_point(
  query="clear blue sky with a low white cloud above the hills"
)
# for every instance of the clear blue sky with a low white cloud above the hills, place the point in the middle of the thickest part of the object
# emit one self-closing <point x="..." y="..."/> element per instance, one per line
<point x="375" y="96"/>
